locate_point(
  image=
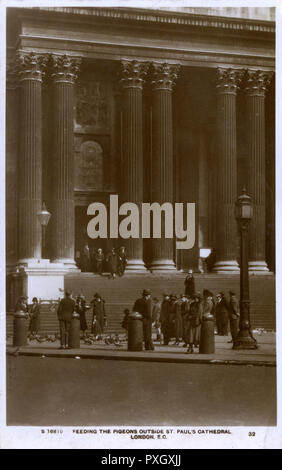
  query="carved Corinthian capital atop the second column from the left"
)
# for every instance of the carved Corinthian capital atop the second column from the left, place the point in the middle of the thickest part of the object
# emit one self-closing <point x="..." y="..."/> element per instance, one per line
<point x="65" y="68"/>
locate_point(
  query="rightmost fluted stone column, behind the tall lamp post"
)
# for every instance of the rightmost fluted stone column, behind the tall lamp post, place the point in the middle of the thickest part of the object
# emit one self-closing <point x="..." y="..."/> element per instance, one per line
<point x="257" y="83"/>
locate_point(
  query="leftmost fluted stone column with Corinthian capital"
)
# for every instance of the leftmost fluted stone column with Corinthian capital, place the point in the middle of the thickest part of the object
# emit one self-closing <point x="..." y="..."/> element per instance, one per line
<point x="31" y="70"/>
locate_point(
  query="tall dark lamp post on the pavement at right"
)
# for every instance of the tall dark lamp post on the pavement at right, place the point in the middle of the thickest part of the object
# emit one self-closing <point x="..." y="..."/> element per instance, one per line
<point x="244" y="213"/>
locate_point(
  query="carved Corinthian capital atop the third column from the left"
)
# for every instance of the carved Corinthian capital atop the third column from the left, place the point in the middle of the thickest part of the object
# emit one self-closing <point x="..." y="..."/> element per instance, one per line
<point x="133" y="73"/>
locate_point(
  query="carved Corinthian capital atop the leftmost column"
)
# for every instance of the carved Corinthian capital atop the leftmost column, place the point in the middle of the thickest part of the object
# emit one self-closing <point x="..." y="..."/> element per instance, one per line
<point x="31" y="66"/>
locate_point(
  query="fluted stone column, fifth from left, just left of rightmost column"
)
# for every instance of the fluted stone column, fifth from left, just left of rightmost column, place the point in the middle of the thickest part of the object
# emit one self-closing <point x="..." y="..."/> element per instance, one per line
<point x="226" y="227"/>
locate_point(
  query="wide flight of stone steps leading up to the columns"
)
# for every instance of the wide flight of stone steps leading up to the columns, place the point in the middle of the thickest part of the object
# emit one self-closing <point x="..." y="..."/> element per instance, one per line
<point x="121" y="293"/>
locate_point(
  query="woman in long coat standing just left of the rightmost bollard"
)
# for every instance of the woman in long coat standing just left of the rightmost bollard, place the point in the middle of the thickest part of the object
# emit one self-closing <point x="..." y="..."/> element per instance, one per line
<point x="195" y="320"/>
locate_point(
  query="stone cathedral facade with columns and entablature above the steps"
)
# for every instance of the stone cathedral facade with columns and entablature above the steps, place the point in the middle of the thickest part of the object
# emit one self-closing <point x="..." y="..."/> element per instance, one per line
<point x="155" y="106"/>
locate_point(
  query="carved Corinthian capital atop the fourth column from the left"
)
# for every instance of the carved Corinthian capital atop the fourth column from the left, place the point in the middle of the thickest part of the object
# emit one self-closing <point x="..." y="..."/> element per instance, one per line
<point x="164" y="75"/>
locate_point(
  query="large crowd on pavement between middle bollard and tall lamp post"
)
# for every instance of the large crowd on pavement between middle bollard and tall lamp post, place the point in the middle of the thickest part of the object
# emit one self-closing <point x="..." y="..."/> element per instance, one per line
<point x="180" y="318"/>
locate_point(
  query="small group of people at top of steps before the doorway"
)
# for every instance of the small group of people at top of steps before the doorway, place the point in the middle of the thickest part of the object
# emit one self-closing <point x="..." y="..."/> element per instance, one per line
<point x="96" y="261"/>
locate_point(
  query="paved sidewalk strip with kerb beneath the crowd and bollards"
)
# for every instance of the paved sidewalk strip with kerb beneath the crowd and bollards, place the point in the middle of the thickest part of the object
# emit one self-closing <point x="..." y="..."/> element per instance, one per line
<point x="224" y="354"/>
